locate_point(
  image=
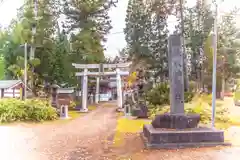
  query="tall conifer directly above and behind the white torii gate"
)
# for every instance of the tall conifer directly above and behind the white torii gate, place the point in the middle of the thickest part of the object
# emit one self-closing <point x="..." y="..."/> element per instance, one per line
<point x="91" y="23"/>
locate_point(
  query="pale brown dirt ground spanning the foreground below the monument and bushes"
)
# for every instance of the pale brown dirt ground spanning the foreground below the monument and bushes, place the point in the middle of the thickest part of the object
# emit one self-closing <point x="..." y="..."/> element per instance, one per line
<point x="90" y="137"/>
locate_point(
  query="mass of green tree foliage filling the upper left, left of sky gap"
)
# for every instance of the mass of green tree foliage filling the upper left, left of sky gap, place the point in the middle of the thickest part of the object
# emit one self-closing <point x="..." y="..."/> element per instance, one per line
<point x="56" y="47"/>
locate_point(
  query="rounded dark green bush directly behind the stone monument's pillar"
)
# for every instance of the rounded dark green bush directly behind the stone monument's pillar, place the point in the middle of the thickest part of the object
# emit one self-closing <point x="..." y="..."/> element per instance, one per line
<point x="159" y="95"/>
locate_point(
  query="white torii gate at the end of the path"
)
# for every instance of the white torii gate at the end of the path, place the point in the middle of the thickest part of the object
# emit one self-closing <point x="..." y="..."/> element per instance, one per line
<point x="101" y="72"/>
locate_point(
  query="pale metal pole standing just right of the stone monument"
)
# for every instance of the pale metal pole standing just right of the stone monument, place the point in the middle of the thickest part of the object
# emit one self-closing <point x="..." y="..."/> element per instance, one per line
<point x="214" y="74"/>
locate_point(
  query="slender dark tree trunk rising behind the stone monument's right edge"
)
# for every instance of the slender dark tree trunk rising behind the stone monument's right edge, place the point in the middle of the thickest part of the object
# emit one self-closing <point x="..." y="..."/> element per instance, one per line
<point x="183" y="48"/>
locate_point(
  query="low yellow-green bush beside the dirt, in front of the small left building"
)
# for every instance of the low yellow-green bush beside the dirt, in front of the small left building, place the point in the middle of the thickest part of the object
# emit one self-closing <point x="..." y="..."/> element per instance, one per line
<point x="30" y="110"/>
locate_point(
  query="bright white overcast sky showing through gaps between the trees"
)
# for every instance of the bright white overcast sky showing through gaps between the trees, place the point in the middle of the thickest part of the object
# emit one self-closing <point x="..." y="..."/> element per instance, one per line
<point x="116" y="40"/>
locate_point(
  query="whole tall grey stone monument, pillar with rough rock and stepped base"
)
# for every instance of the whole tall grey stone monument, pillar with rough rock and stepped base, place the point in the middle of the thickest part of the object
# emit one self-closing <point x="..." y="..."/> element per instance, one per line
<point x="176" y="129"/>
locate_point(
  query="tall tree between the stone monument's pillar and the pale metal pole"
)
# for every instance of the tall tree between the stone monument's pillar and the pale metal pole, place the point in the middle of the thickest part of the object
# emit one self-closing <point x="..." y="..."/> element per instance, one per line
<point x="198" y="22"/>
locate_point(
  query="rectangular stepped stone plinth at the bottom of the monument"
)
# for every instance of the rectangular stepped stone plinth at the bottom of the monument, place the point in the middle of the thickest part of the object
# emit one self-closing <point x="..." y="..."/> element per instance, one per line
<point x="160" y="138"/>
